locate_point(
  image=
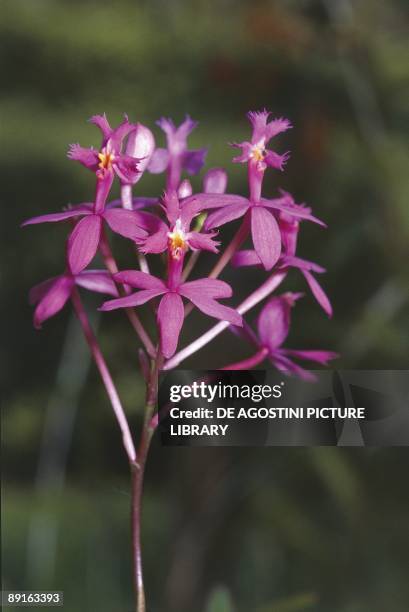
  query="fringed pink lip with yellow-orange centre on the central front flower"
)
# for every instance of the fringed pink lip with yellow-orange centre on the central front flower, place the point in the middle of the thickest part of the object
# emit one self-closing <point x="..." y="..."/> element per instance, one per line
<point x="177" y="236"/>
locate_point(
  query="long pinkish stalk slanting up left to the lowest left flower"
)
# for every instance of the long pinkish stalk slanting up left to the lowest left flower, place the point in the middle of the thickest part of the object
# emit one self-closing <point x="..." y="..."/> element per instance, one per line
<point x="105" y="375"/>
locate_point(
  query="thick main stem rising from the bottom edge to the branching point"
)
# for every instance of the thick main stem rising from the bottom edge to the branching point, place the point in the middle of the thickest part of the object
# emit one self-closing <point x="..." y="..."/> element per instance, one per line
<point x="137" y="476"/>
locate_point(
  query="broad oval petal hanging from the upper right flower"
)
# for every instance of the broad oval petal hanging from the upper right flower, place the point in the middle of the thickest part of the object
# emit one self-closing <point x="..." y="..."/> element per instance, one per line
<point x="266" y="236"/>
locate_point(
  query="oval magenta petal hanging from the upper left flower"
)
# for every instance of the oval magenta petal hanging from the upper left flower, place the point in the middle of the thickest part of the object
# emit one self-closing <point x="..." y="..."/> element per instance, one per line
<point x="83" y="243"/>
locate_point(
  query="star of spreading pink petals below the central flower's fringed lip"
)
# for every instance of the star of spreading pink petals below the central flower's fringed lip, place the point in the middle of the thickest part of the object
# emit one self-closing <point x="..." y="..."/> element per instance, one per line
<point x="203" y="294"/>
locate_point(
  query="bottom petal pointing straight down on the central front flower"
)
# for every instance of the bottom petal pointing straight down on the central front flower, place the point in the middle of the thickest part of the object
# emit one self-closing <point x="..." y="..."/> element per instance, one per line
<point x="171" y="314"/>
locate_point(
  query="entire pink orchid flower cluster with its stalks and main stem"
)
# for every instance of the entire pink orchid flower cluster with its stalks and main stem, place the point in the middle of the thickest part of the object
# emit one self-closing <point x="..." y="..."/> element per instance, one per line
<point x="178" y="227"/>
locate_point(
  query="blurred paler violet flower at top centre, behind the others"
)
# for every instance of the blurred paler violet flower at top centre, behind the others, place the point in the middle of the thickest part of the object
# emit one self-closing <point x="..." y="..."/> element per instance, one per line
<point x="177" y="156"/>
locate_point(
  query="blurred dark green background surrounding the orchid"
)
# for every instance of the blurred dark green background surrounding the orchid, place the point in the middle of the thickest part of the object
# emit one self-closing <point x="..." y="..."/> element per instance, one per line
<point x="224" y="530"/>
